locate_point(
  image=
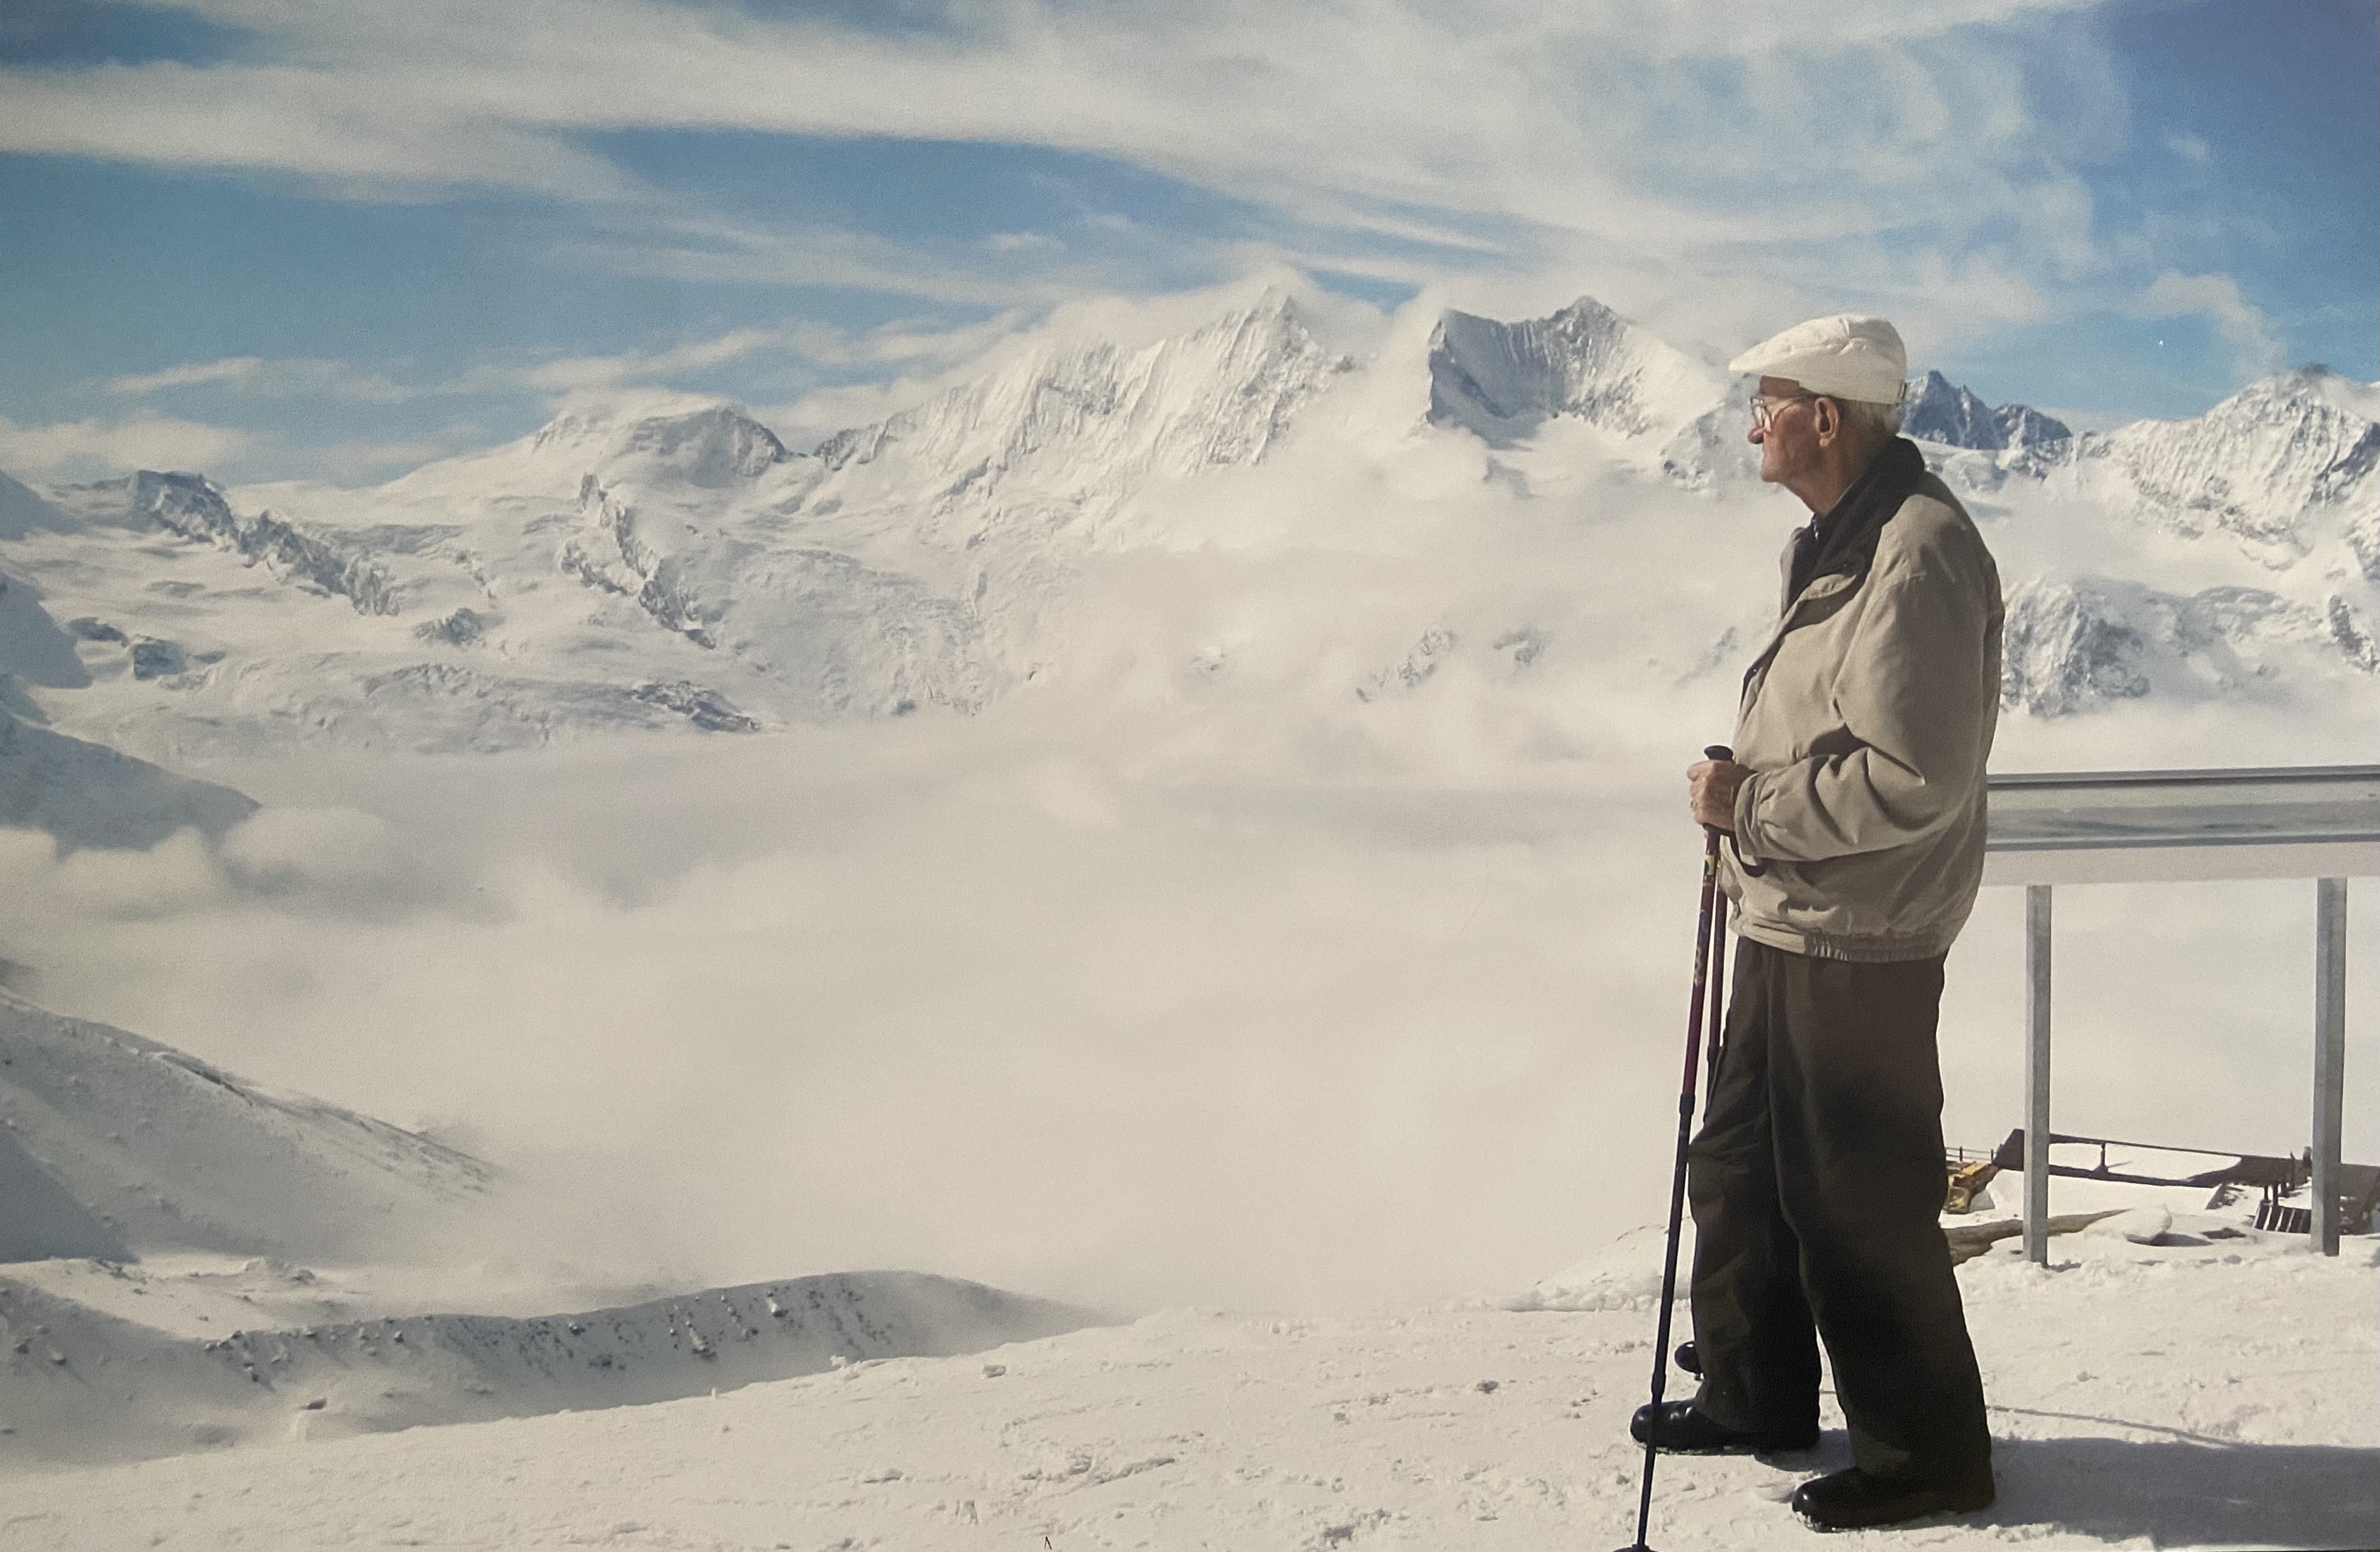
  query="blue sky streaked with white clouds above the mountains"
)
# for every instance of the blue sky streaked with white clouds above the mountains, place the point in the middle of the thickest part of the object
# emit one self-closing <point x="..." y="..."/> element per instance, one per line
<point x="327" y="239"/>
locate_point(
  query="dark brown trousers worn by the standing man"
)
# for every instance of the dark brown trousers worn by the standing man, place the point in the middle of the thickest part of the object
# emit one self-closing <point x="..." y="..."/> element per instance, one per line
<point x="1817" y="1187"/>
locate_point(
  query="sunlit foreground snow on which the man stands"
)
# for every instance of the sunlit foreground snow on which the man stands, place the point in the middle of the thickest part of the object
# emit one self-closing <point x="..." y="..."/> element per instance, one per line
<point x="2141" y="1396"/>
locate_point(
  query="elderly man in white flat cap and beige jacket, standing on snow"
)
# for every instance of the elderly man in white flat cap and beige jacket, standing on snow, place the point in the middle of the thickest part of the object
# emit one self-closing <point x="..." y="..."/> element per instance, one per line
<point x="1858" y="811"/>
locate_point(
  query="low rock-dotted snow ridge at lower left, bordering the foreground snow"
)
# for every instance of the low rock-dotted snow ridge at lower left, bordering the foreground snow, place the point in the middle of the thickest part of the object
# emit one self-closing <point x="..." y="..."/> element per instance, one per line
<point x="168" y="1394"/>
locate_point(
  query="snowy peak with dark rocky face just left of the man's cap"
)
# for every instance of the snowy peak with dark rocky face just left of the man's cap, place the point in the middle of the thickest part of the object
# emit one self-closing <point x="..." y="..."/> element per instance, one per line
<point x="1508" y="380"/>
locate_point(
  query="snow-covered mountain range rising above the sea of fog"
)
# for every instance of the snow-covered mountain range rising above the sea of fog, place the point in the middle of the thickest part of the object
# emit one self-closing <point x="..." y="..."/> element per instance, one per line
<point x="694" y="572"/>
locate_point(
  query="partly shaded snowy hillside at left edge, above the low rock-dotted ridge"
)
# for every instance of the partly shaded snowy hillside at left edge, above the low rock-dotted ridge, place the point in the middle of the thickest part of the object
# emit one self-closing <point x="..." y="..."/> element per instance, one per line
<point x="123" y="1146"/>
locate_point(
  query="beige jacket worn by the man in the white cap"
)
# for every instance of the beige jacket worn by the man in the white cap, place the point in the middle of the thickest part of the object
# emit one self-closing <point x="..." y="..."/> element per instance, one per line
<point x="1867" y="725"/>
